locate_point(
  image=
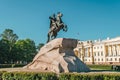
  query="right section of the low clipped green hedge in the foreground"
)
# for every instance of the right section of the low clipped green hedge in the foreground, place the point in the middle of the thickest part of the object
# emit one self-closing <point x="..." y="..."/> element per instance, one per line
<point x="90" y="76"/>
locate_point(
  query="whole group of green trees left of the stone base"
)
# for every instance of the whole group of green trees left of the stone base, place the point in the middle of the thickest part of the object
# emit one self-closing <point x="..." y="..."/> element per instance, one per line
<point x="13" y="50"/>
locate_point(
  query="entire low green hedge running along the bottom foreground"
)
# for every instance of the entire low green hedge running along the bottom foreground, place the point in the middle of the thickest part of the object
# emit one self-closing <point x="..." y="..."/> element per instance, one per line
<point x="61" y="76"/>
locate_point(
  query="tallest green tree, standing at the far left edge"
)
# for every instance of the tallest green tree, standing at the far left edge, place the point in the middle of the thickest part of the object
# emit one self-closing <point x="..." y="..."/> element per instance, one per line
<point x="8" y="37"/>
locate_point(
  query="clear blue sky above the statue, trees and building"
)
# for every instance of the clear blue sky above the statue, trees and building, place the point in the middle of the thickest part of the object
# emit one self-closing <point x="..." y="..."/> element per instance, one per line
<point x="86" y="19"/>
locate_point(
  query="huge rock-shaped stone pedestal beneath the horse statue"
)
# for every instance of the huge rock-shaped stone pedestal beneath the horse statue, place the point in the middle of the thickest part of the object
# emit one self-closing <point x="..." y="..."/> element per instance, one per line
<point x="58" y="56"/>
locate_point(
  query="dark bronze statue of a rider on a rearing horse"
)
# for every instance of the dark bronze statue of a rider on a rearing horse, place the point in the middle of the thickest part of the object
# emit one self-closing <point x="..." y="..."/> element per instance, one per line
<point x="56" y="24"/>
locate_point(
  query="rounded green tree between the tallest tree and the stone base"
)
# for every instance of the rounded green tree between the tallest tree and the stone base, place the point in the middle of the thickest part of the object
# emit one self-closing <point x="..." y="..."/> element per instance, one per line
<point x="26" y="49"/>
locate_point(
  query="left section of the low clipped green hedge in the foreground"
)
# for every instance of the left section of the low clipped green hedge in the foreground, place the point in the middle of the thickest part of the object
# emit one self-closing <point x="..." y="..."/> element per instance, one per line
<point x="28" y="76"/>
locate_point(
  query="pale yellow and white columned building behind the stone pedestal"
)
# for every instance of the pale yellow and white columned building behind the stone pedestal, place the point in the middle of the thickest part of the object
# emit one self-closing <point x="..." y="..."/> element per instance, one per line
<point x="99" y="51"/>
